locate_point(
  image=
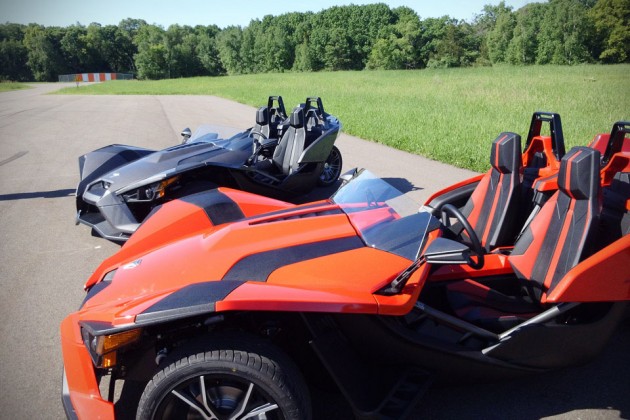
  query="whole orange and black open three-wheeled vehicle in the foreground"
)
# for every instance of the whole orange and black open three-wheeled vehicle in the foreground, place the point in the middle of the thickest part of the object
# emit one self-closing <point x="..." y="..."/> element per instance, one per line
<point x="520" y="270"/>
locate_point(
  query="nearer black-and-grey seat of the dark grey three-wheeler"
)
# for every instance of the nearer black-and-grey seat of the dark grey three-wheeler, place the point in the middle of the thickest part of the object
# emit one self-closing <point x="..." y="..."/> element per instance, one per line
<point x="291" y="145"/>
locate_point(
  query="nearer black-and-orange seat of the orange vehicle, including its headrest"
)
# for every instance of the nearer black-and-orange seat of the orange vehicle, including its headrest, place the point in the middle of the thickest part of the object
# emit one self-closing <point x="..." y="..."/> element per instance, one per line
<point x="556" y="239"/>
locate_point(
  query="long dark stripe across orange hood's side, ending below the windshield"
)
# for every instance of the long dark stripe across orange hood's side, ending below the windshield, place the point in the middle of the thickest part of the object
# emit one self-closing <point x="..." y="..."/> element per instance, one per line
<point x="258" y="267"/>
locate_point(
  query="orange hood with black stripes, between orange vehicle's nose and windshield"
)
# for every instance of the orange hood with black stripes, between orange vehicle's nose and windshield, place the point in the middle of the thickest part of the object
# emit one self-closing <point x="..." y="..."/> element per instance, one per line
<point x="302" y="258"/>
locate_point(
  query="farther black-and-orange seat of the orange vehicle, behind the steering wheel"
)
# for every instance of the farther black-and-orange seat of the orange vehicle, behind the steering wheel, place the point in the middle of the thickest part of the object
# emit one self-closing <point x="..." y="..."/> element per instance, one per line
<point x="493" y="207"/>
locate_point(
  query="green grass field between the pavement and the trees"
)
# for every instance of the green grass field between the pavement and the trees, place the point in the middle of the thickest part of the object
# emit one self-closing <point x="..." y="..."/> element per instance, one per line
<point x="450" y="115"/>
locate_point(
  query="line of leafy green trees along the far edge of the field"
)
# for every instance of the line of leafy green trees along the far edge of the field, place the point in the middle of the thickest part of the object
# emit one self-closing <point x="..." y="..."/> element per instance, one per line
<point x="351" y="37"/>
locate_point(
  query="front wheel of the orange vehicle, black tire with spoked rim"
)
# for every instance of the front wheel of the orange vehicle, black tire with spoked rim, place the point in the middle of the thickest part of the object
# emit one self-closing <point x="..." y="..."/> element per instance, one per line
<point x="231" y="371"/>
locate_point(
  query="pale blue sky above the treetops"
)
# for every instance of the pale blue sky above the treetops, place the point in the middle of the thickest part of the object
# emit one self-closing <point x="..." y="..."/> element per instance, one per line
<point x="207" y="12"/>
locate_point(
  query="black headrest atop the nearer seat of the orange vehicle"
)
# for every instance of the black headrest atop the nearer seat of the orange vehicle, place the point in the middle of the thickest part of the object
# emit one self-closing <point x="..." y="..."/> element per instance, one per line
<point x="579" y="173"/>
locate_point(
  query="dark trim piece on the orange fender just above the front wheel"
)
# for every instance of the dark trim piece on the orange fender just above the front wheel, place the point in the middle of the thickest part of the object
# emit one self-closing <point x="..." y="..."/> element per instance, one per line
<point x="190" y="300"/>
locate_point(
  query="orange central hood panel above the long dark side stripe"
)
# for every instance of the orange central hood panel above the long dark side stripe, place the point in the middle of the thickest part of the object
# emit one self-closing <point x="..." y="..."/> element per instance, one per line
<point x="179" y="264"/>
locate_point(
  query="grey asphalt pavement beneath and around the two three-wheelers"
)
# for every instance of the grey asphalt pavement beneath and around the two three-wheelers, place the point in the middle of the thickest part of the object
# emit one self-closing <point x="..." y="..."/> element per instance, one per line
<point x="44" y="258"/>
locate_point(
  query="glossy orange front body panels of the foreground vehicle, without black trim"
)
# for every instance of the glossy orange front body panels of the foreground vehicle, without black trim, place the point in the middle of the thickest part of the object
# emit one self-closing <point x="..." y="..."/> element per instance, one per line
<point x="168" y="256"/>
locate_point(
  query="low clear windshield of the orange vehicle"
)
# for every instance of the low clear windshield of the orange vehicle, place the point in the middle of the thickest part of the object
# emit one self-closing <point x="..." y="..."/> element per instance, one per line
<point x="385" y="218"/>
